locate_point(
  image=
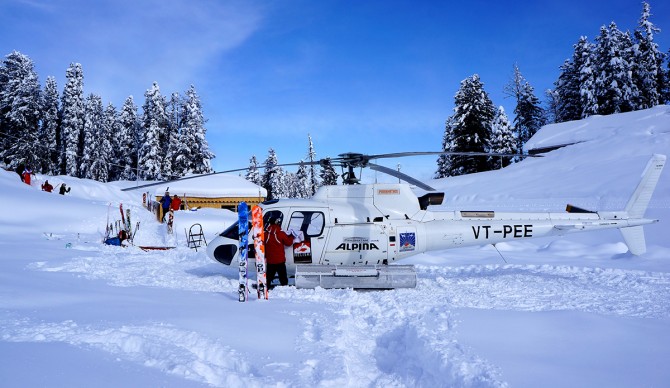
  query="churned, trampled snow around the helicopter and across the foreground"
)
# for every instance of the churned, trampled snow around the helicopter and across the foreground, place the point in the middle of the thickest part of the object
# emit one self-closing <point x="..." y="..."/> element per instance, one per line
<point x="398" y="338"/>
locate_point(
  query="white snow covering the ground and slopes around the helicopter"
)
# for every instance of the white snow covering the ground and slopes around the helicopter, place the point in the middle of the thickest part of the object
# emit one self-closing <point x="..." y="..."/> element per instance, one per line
<point x="574" y="311"/>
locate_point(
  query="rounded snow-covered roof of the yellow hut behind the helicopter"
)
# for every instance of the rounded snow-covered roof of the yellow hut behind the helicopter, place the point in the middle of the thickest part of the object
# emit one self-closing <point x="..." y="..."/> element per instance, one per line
<point x="212" y="186"/>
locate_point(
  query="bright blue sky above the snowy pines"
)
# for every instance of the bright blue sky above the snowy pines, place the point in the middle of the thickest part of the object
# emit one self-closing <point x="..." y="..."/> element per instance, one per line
<point x="361" y="76"/>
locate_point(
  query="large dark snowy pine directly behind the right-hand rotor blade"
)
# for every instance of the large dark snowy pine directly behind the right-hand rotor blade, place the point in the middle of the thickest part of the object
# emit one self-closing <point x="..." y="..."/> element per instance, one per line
<point x="471" y="129"/>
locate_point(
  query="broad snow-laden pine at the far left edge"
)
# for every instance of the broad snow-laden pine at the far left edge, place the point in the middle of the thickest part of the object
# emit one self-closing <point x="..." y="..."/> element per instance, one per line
<point x="20" y="110"/>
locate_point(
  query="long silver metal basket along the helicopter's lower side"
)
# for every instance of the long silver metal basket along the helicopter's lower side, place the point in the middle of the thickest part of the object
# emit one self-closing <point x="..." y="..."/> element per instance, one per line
<point x="355" y="276"/>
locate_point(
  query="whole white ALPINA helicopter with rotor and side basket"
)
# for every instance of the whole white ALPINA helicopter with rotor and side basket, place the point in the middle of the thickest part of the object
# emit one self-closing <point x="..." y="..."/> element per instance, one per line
<point x="351" y="233"/>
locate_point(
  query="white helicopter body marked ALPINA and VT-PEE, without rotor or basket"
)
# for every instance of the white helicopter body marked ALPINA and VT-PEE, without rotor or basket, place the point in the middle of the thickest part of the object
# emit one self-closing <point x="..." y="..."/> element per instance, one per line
<point x="382" y="223"/>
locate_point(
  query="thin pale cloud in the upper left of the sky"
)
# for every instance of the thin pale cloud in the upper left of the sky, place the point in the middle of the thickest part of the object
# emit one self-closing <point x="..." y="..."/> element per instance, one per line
<point x="124" y="45"/>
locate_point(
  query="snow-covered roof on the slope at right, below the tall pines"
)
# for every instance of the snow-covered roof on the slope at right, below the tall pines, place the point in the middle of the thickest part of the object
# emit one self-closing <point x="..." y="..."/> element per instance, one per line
<point x="597" y="127"/>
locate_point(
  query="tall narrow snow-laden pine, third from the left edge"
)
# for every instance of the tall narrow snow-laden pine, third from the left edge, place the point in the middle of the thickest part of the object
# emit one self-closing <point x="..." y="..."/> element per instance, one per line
<point x="72" y="119"/>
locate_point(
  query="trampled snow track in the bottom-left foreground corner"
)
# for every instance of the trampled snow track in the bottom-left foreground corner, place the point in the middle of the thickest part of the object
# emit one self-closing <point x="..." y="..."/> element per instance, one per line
<point x="174" y="351"/>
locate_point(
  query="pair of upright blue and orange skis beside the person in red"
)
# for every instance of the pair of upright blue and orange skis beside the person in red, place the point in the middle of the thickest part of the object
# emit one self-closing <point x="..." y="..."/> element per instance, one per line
<point x="243" y="229"/>
